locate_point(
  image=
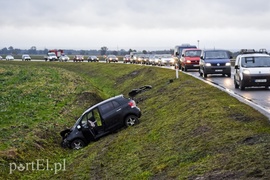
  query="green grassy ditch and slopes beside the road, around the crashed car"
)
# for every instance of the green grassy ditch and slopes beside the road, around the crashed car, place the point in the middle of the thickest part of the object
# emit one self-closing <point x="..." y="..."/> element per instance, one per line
<point x="188" y="129"/>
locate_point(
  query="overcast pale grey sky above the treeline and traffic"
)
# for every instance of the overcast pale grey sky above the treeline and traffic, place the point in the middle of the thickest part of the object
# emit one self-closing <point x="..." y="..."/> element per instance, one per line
<point x="135" y="24"/>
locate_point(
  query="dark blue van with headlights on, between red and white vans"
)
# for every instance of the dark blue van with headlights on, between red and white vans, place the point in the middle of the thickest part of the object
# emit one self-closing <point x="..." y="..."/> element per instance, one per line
<point x="215" y="62"/>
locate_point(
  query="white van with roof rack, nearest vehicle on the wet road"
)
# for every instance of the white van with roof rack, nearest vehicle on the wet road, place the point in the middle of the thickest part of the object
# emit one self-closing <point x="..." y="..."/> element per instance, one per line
<point x="252" y="69"/>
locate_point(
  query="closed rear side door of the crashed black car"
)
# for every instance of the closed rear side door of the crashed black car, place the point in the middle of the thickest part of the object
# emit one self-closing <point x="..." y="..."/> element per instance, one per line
<point x="111" y="115"/>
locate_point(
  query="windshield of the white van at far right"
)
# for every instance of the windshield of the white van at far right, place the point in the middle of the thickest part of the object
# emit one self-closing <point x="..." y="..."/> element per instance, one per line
<point x="255" y="62"/>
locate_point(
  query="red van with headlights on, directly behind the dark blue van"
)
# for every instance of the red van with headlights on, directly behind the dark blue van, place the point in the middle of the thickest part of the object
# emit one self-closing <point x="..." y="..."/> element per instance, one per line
<point x="190" y="59"/>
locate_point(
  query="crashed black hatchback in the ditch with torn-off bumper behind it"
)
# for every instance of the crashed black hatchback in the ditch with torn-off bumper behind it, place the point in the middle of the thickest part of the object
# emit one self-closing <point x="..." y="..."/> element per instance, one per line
<point x="102" y="119"/>
